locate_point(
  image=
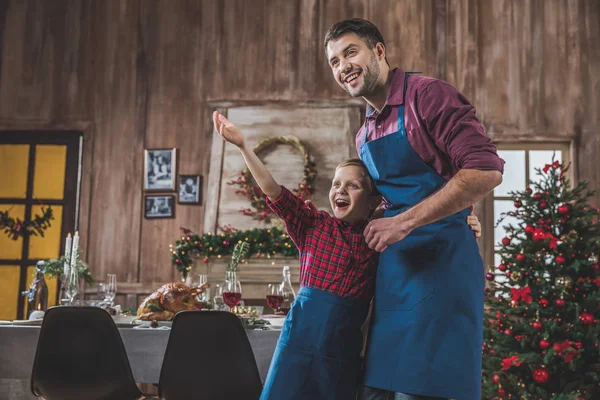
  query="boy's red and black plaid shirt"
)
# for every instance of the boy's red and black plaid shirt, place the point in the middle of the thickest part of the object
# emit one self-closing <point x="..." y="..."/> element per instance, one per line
<point x="333" y="254"/>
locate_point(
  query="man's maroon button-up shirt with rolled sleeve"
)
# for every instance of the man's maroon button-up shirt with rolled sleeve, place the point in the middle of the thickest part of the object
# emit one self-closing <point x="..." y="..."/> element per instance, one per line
<point x="441" y="125"/>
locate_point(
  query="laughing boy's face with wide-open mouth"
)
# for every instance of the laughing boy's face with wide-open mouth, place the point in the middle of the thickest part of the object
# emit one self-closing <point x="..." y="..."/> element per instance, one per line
<point x="350" y="194"/>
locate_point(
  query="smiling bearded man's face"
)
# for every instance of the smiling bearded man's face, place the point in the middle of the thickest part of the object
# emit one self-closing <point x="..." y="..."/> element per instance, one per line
<point x="354" y="65"/>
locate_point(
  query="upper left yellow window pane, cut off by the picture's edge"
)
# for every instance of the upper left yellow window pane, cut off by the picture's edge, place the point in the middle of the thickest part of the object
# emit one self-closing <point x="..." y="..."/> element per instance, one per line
<point x="14" y="160"/>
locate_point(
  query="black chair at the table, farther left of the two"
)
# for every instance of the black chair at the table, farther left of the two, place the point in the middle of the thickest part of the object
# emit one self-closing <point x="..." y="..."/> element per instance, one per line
<point x="80" y="355"/>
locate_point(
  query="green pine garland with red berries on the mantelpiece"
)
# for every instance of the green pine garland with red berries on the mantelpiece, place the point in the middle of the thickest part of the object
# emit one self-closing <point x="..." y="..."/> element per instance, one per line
<point x="261" y="243"/>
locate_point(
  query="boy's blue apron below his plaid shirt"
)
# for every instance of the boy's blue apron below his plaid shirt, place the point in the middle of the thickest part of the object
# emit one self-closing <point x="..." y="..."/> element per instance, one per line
<point x="318" y="353"/>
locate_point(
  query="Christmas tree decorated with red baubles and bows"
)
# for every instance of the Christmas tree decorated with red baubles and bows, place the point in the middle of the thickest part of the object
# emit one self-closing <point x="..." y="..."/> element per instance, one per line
<point x="541" y="330"/>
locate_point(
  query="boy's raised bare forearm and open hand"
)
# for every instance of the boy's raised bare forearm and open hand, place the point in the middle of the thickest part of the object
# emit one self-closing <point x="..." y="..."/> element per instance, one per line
<point x="230" y="133"/>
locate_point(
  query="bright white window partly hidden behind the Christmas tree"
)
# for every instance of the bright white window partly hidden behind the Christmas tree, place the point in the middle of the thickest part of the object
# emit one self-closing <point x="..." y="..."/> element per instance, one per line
<point x="521" y="161"/>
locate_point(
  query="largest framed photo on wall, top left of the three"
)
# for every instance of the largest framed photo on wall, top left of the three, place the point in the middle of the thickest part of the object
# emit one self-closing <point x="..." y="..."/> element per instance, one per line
<point x="160" y="169"/>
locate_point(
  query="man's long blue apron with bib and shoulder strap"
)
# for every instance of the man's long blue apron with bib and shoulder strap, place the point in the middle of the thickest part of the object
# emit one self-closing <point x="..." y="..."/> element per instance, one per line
<point x="427" y="326"/>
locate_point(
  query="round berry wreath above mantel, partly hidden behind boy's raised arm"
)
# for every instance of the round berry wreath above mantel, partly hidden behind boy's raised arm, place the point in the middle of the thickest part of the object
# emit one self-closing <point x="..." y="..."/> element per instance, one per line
<point x="249" y="189"/>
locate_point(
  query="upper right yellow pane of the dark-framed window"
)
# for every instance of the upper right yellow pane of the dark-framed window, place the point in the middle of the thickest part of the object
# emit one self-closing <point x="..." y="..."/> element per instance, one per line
<point x="49" y="172"/>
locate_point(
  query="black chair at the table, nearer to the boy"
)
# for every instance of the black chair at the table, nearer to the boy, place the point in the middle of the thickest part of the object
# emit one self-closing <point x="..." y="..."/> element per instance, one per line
<point x="208" y="356"/>
